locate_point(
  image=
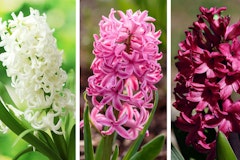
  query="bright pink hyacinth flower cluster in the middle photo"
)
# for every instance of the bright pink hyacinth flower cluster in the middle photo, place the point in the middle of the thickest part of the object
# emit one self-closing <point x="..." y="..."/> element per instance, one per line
<point x="125" y="71"/>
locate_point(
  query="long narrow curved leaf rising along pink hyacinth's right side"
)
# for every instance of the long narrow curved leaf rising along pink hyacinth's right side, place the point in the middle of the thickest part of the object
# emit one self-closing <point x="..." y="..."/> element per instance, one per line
<point x="135" y="145"/>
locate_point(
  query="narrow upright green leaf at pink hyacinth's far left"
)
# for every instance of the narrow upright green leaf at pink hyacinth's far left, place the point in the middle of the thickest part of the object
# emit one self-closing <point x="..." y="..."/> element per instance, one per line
<point x="88" y="148"/>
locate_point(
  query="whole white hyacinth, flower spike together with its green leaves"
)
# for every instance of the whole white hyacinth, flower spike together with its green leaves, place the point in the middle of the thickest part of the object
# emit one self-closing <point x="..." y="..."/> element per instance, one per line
<point x="33" y="62"/>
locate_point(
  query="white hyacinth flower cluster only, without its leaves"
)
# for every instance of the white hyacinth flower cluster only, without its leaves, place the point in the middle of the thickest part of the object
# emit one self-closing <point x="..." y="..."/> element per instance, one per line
<point x="33" y="62"/>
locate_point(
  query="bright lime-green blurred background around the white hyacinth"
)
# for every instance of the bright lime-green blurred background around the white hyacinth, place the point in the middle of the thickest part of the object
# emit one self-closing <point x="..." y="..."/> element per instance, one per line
<point x="61" y="15"/>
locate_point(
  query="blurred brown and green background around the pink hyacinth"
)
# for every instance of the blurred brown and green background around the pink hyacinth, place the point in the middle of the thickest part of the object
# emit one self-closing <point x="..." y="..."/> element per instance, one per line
<point x="91" y="12"/>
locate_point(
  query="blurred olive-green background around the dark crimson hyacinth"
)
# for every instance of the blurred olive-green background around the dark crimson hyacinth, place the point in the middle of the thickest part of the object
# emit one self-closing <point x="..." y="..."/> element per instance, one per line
<point x="183" y="14"/>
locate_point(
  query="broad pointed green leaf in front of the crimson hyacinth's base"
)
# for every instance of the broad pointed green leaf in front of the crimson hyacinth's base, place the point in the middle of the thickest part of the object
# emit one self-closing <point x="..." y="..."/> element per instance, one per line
<point x="224" y="150"/>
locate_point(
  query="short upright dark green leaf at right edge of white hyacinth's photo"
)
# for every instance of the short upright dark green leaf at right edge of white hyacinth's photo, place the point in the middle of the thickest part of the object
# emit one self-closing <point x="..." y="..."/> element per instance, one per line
<point x="71" y="145"/>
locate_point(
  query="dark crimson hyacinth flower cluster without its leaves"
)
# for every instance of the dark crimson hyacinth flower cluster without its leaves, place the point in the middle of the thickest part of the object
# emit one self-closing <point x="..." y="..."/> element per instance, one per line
<point x="208" y="79"/>
